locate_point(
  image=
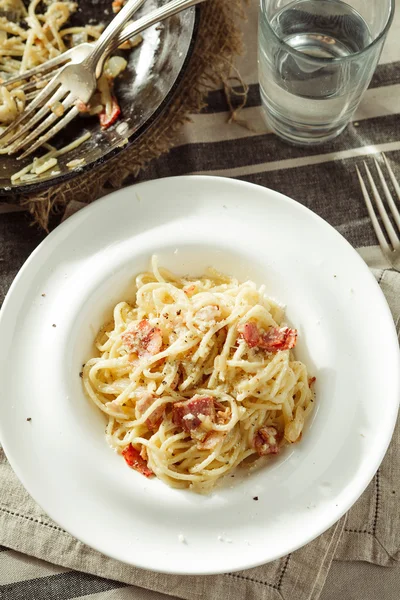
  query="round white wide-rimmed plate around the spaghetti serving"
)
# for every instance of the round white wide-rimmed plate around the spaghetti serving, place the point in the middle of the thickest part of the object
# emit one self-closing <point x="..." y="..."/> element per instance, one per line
<point x="347" y="339"/>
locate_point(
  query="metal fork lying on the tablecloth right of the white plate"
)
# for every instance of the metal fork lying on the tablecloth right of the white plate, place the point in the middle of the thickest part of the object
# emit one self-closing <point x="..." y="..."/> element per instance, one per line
<point x="391" y="251"/>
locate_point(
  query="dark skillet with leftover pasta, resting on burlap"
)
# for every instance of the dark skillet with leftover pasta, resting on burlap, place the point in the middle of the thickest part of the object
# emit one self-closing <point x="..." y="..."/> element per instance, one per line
<point x="143" y="91"/>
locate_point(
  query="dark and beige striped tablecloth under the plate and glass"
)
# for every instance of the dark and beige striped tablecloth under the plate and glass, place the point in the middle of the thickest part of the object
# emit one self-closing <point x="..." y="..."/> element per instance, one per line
<point x="322" y="178"/>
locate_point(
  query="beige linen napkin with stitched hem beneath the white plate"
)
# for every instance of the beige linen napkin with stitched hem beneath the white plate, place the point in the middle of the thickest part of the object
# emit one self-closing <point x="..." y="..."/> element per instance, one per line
<point x="371" y="531"/>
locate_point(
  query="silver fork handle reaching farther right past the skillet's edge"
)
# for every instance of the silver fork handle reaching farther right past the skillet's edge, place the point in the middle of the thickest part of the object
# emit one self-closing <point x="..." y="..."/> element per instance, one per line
<point x="155" y="16"/>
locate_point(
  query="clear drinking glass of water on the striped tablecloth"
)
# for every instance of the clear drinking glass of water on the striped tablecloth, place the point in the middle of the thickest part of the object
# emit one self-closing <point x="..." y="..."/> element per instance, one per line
<point x="316" y="58"/>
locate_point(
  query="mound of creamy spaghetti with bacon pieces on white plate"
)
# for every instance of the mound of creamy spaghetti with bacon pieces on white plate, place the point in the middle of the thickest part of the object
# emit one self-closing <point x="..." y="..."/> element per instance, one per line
<point x="197" y="377"/>
